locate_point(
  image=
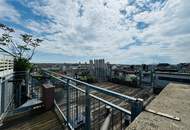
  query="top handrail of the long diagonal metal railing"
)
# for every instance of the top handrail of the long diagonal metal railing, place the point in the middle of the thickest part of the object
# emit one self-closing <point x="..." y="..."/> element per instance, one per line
<point x="105" y="91"/>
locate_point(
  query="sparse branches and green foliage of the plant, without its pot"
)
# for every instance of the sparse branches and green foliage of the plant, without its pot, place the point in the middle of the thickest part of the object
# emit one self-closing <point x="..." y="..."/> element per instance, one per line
<point x="22" y="47"/>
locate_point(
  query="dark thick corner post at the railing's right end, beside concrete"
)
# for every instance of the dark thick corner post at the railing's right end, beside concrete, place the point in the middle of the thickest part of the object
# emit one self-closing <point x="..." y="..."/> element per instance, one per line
<point x="136" y="108"/>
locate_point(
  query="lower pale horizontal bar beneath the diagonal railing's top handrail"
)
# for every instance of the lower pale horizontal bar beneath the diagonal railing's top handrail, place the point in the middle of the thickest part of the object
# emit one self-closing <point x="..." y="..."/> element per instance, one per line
<point x="98" y="98"/>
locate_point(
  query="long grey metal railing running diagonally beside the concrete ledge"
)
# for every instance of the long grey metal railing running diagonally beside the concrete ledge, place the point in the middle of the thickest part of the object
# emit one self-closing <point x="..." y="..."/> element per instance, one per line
<point x="86" y="106"/>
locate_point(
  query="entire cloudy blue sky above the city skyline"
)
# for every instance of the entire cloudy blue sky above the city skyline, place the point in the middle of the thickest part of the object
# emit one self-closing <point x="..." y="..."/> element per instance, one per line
<point x="121" y="31"/>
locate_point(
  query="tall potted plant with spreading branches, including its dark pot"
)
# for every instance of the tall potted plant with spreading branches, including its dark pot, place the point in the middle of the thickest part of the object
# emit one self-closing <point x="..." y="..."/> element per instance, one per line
<point x="22" y="48"/>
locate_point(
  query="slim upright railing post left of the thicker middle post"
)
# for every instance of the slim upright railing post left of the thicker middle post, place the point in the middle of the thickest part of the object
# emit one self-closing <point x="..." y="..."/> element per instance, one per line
<point x="68" y="101"/>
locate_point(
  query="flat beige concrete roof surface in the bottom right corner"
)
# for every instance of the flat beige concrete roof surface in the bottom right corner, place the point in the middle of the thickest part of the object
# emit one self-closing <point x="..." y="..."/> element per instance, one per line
<point x="174" y="100"/>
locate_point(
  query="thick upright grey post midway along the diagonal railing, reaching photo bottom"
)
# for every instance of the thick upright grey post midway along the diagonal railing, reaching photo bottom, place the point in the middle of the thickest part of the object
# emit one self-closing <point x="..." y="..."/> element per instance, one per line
<point x="87" y="109"/>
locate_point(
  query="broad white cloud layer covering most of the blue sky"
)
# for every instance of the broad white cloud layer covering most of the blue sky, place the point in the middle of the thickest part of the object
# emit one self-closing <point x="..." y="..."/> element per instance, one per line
<point x="102" y="30"/>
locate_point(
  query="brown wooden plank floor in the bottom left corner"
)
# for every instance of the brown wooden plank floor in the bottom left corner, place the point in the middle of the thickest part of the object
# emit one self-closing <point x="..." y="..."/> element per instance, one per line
<point x="40" y="121"/>
